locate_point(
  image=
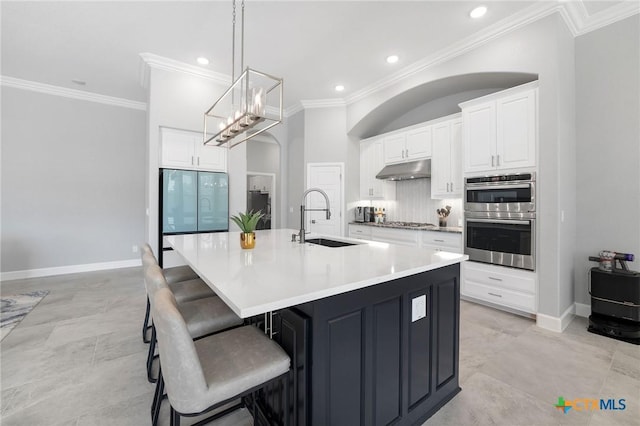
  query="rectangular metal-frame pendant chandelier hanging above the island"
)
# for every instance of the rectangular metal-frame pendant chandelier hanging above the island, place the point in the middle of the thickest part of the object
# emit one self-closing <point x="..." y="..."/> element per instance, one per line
<point x="252" y="105"/>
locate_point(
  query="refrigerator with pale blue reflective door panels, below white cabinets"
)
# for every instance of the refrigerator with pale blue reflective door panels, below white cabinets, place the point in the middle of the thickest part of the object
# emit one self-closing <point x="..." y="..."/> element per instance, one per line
<point x="193" y="201"/>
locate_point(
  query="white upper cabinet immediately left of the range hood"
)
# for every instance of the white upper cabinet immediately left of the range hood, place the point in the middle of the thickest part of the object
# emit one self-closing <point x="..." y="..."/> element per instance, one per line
<point x="371" y="162"/>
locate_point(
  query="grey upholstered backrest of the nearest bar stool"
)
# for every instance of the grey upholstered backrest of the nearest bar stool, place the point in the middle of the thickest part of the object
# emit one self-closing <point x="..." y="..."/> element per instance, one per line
<point x="179" y="361"/>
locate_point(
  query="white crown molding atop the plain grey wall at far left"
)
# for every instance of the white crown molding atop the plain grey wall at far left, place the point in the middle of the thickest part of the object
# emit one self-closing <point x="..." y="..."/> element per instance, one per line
<point x="49" y="89"/>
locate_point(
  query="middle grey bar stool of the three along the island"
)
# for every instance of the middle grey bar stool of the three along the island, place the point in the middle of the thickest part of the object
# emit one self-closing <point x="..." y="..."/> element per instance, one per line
<point x="203" y="316"/>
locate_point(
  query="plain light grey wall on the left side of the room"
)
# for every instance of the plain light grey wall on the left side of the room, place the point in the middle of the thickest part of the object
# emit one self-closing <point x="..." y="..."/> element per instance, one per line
<point x="72" y="181"/>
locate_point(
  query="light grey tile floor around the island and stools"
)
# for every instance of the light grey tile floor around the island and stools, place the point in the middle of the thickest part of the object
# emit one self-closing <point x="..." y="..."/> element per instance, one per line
<point x="77" y="360"/>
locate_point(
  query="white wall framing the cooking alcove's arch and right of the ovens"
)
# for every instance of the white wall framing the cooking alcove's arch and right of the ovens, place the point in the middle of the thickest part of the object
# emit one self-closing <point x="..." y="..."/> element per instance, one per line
<point x="539" y="48"/>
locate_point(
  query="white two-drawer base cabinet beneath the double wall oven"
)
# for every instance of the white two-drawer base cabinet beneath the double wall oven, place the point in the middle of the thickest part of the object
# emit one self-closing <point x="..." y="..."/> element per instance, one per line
<point x="512" y="288"/>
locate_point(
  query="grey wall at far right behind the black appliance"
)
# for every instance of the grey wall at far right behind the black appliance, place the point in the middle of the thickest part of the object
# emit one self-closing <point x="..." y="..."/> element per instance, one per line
<point x="608" y="152"/>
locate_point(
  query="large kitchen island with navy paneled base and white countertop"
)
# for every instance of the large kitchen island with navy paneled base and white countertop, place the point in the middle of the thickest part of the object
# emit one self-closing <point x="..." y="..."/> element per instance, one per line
<point x="372" y="328"/>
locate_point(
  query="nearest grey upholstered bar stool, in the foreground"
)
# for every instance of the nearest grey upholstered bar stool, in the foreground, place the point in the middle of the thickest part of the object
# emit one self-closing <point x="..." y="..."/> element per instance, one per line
<point x="201" y="375"/>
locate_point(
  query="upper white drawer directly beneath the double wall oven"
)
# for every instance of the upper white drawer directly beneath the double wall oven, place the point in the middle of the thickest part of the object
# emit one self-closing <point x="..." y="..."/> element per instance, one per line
<point x="495" y="276"/>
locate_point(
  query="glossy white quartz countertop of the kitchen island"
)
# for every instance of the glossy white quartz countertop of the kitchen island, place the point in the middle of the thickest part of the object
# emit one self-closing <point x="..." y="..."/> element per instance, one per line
<point x="279" y="273"/>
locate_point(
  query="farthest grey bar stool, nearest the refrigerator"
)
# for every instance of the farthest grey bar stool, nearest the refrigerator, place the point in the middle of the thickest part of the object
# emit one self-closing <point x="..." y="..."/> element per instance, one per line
<point x="180" y="276"/>
